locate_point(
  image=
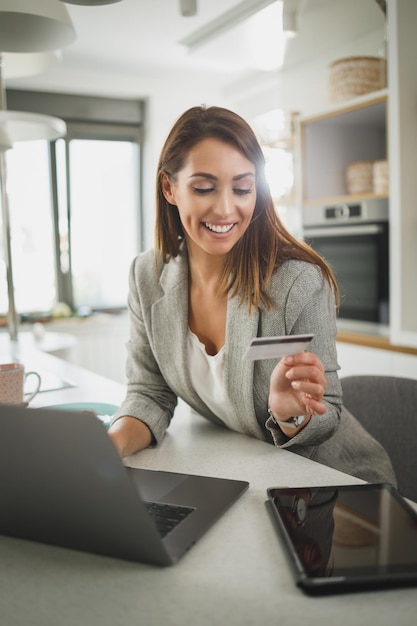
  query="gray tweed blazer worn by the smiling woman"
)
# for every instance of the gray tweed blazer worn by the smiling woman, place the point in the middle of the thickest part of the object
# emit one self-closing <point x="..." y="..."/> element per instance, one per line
<point x="158" y="374"/>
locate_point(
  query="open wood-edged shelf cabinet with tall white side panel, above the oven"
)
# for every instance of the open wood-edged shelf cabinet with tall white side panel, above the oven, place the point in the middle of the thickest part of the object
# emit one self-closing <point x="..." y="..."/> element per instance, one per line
<point x="380" y="125"/>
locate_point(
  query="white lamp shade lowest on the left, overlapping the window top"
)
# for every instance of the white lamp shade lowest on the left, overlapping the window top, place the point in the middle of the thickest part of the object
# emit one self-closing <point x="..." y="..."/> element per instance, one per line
<point x="23" y="126"/>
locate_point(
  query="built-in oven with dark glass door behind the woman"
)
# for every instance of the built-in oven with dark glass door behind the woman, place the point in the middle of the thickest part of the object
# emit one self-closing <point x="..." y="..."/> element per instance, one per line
<point x="354" y="240"/>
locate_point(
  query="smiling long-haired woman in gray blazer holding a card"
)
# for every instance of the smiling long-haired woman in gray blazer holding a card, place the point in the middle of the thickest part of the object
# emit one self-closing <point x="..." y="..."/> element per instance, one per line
<point x="225" y="270"/>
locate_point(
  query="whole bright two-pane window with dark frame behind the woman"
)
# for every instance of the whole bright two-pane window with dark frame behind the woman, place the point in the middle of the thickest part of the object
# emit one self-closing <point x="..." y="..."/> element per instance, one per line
<point x="75" y="217"/>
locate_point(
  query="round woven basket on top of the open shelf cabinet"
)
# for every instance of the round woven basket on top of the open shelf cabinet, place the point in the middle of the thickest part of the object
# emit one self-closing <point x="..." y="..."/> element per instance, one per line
<point x="355" y="76"/>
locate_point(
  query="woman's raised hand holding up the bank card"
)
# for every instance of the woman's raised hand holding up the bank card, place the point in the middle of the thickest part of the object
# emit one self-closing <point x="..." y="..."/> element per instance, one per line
<point x="297" y="386"/>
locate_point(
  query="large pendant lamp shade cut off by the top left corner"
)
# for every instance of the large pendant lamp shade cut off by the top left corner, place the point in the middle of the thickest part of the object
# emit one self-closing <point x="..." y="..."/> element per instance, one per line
<point x="34" y="26"/>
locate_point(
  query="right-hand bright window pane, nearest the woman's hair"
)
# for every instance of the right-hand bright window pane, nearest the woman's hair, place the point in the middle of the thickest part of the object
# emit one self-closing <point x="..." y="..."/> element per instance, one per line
<point x="98" y="219"/>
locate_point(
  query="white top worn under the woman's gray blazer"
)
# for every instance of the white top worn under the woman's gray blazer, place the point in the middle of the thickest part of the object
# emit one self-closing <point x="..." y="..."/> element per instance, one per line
<point x="207" y="378"/>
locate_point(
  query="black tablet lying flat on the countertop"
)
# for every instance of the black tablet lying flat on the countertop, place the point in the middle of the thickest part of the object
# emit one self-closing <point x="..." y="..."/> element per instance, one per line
<point x="346" y="538"/>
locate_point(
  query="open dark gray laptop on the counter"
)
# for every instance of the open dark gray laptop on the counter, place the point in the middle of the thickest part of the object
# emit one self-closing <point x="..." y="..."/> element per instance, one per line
<point x="63" y="483"/>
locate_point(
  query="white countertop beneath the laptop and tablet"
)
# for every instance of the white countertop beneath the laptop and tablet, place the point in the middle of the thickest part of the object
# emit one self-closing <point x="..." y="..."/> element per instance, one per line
<point x="236" y="574"/>
